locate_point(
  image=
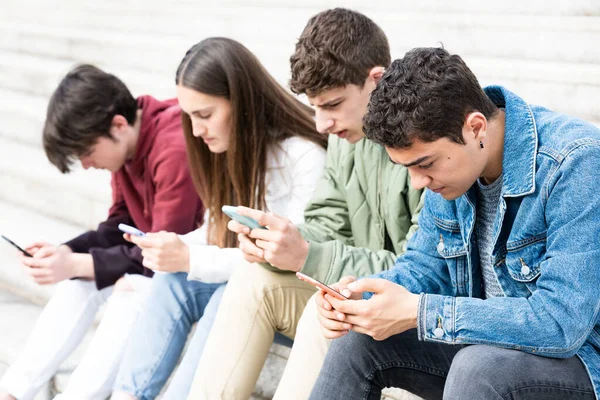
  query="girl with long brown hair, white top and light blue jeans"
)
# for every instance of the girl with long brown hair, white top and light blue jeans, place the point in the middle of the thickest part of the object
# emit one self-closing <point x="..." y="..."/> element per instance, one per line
<point x="249" y="143"/>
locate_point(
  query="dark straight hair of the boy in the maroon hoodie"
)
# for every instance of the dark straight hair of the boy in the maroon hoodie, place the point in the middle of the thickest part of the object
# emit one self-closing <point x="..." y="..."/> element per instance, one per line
<point x="81" y="111"/>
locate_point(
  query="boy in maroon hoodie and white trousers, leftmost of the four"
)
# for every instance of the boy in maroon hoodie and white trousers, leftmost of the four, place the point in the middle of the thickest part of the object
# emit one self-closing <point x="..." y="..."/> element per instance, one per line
<point x="93" y="117"/>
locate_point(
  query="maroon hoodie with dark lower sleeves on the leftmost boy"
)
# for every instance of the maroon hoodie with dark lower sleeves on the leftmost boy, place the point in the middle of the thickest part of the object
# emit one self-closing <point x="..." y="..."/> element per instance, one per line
<point x="153" y="192"/>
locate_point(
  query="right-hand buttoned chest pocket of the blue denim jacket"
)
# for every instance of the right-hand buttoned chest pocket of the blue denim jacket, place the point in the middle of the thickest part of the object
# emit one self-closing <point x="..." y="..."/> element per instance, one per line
<point x="524" y="258"/>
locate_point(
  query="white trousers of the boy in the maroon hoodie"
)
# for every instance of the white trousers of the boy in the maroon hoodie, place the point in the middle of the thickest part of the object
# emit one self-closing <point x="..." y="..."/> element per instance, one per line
<point x="61" y="328"/>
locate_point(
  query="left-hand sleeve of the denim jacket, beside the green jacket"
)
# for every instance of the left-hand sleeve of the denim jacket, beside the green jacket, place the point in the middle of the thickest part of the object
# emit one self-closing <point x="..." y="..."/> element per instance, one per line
<point x="421" y="269"/>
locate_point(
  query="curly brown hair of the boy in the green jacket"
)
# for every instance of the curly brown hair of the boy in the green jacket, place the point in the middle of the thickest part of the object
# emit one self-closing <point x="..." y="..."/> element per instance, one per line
<point x="337" y="47"/>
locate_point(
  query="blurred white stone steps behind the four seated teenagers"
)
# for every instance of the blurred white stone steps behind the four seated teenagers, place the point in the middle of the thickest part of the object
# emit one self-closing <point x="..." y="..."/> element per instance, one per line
<point x="547" y="51"/>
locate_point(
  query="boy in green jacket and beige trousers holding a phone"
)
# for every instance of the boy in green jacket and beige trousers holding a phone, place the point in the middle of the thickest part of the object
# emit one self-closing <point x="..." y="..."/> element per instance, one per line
<point x="357" y="223"/>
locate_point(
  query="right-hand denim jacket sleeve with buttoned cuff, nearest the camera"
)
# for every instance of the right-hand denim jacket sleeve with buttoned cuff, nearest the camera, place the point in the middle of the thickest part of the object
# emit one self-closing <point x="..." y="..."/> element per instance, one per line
<point x="560" y="314"/>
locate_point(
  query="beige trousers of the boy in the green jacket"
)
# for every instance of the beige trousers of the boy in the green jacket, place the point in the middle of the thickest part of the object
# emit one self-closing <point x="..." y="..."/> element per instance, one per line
<point x="255" y="305"/>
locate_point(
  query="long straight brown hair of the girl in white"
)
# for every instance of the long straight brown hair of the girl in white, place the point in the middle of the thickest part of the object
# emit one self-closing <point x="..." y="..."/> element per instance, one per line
<point x="263" y="114"/>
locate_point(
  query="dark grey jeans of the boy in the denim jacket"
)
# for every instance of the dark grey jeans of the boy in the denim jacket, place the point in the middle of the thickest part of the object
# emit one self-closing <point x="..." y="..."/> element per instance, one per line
<point x="359" y="367"/>
